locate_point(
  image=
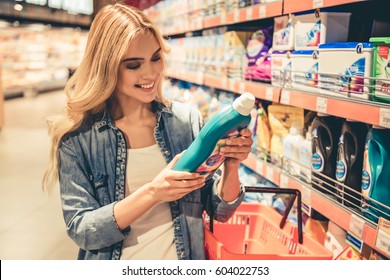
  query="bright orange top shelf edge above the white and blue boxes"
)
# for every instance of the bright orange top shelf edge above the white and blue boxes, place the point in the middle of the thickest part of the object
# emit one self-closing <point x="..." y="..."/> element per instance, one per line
<point x="293" y="6"/>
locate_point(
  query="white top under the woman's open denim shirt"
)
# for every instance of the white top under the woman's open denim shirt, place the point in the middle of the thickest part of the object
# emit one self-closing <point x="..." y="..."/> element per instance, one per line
<point x="151" y="236"/>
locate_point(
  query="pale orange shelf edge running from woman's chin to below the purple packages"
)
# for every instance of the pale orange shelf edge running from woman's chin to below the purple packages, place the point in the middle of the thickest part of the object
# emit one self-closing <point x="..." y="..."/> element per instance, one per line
<point x="259" y="90"/>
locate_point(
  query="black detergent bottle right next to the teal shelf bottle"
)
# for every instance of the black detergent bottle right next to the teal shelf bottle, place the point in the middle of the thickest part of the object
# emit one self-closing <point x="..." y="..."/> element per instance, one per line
<point x="350" y="162"/>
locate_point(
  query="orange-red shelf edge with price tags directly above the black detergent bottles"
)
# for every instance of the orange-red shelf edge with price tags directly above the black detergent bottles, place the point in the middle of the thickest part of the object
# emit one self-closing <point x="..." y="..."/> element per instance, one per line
<point x="364" y="111"/>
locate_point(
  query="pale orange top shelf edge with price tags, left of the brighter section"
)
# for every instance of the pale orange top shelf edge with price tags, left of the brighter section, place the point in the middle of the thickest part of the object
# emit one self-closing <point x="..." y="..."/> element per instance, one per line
<point x="245" y="14"/>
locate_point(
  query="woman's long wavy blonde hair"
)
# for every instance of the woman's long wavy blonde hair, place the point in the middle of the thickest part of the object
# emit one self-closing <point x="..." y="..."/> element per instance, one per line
<point x="94" y="81"/>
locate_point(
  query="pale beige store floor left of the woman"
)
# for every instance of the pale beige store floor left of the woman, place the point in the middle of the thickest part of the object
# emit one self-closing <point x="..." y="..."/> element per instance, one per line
<point x="31" y="227"/>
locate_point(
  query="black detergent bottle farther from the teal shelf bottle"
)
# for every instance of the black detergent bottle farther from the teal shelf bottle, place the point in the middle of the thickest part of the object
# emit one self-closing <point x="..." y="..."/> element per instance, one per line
<point x="325" y="133"/>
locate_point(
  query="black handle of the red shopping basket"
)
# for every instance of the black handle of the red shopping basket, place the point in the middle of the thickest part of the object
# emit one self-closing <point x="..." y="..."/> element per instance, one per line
<point x="293" y="192"/>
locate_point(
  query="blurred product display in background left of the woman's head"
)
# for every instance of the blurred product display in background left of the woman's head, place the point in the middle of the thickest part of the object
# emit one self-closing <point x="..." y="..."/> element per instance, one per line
<point x="37" y="57"/>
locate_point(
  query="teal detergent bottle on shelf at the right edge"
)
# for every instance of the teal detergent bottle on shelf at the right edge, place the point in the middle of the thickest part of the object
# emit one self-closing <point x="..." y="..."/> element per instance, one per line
<point x="376" y="174"/>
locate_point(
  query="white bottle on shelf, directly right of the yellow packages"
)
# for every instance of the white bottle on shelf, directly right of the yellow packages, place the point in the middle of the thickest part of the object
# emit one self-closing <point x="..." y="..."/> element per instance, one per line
<point x="291" y="150"/>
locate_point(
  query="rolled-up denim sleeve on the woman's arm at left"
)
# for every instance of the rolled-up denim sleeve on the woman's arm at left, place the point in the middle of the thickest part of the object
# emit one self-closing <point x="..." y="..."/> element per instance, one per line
<point x="91" y="225"/>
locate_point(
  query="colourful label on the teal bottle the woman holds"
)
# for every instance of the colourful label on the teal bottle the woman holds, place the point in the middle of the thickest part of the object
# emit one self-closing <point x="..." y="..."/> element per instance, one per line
<point x="214" y="161"/>
